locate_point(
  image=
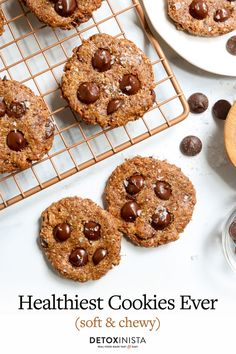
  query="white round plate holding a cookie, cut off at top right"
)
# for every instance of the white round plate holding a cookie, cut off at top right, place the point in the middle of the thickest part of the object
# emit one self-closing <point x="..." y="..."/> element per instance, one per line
<point x="209" y="54"/>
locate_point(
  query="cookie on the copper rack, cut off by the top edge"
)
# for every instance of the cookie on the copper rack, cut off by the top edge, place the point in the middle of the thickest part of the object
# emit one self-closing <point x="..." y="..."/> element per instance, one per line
<point x="65" y="14"/>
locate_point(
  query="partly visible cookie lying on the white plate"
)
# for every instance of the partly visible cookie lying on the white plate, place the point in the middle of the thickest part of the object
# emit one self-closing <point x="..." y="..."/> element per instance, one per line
<point x="203" y="17"/>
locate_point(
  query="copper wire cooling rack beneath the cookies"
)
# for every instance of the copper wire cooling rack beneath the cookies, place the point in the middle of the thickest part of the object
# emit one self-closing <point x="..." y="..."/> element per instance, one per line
<point x="35" y="54"/>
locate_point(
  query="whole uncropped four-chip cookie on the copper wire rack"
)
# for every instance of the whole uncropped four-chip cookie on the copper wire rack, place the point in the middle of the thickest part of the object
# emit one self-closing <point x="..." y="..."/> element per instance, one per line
<point x="108" y="81"/>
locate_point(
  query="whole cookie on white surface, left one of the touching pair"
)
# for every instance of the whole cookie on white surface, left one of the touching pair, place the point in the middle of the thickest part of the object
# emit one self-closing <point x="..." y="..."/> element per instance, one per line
<point x="80" y="239"/>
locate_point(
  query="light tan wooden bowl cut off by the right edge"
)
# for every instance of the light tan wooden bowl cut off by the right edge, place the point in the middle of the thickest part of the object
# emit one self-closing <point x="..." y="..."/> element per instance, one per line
<point x="230" y="134"/>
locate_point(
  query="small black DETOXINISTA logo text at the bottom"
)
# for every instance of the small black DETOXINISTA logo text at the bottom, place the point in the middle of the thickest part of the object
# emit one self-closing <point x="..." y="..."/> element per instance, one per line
<point x="117" y="342"/>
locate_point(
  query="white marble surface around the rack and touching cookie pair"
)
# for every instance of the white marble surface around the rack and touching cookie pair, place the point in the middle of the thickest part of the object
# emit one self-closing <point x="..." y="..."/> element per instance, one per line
<point x="193" y="265"/>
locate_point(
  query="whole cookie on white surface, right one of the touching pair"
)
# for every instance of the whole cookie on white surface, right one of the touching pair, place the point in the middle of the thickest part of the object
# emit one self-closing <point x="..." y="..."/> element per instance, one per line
<point x="152" y="199"/>
